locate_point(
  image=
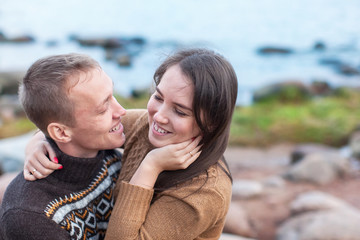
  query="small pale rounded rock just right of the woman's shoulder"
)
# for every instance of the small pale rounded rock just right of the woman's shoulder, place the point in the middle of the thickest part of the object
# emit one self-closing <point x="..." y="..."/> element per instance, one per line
<point x="247" y="189"/>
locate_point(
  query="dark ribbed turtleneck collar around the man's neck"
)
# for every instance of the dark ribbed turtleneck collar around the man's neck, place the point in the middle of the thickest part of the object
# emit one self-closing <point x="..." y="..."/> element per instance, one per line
<point x="76" y="170"/>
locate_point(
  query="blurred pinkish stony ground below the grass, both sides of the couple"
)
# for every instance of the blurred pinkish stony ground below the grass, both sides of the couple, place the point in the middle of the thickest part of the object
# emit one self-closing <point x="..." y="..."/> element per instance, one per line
<point x="281" y="192"/>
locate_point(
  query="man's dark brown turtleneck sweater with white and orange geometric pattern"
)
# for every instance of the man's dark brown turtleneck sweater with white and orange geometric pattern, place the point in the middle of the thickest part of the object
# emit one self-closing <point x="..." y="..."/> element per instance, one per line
<point x="72" y="203"/>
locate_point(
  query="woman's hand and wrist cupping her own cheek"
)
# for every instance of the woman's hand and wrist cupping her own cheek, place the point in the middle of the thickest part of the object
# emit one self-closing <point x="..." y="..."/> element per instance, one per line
<point x="170" y="157"/>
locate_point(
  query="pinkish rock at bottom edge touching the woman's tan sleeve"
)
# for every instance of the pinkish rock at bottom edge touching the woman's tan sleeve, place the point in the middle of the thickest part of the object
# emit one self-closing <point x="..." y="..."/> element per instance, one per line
<point x="237" y="222"/>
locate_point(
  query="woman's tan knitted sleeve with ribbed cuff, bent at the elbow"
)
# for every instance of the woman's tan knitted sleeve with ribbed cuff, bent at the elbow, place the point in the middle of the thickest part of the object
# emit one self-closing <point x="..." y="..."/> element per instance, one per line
<point x="181" y="214"/>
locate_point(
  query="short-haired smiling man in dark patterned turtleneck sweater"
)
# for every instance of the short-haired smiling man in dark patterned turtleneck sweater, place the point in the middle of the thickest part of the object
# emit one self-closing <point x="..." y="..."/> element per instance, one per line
<point x="70" y="99"/>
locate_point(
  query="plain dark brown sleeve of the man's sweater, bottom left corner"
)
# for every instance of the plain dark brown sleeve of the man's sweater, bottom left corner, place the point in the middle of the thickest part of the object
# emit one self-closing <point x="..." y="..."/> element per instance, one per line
<point x="19" y="224"/>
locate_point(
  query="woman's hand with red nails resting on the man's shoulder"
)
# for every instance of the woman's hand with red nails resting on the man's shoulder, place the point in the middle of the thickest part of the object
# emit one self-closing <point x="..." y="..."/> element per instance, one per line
<point x="37" y="164"/>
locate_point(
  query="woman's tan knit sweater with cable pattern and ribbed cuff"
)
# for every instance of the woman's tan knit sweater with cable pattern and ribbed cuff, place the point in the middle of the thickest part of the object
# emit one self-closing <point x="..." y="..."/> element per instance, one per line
<point x="190" y="211"/>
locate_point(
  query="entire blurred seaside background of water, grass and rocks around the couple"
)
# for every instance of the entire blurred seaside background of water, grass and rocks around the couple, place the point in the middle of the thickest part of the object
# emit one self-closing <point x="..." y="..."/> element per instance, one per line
<point x="284" y="188"/>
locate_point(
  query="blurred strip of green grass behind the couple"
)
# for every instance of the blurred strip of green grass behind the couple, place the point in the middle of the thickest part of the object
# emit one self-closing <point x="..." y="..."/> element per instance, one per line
<point x="329" y="120"/>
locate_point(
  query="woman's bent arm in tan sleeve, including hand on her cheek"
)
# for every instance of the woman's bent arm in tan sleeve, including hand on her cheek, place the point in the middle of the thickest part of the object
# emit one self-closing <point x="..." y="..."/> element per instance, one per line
<point x="196" y="207"/>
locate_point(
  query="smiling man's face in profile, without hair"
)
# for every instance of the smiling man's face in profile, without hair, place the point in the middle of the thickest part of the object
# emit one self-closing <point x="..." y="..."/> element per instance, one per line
<point x="97" y="114"/>
